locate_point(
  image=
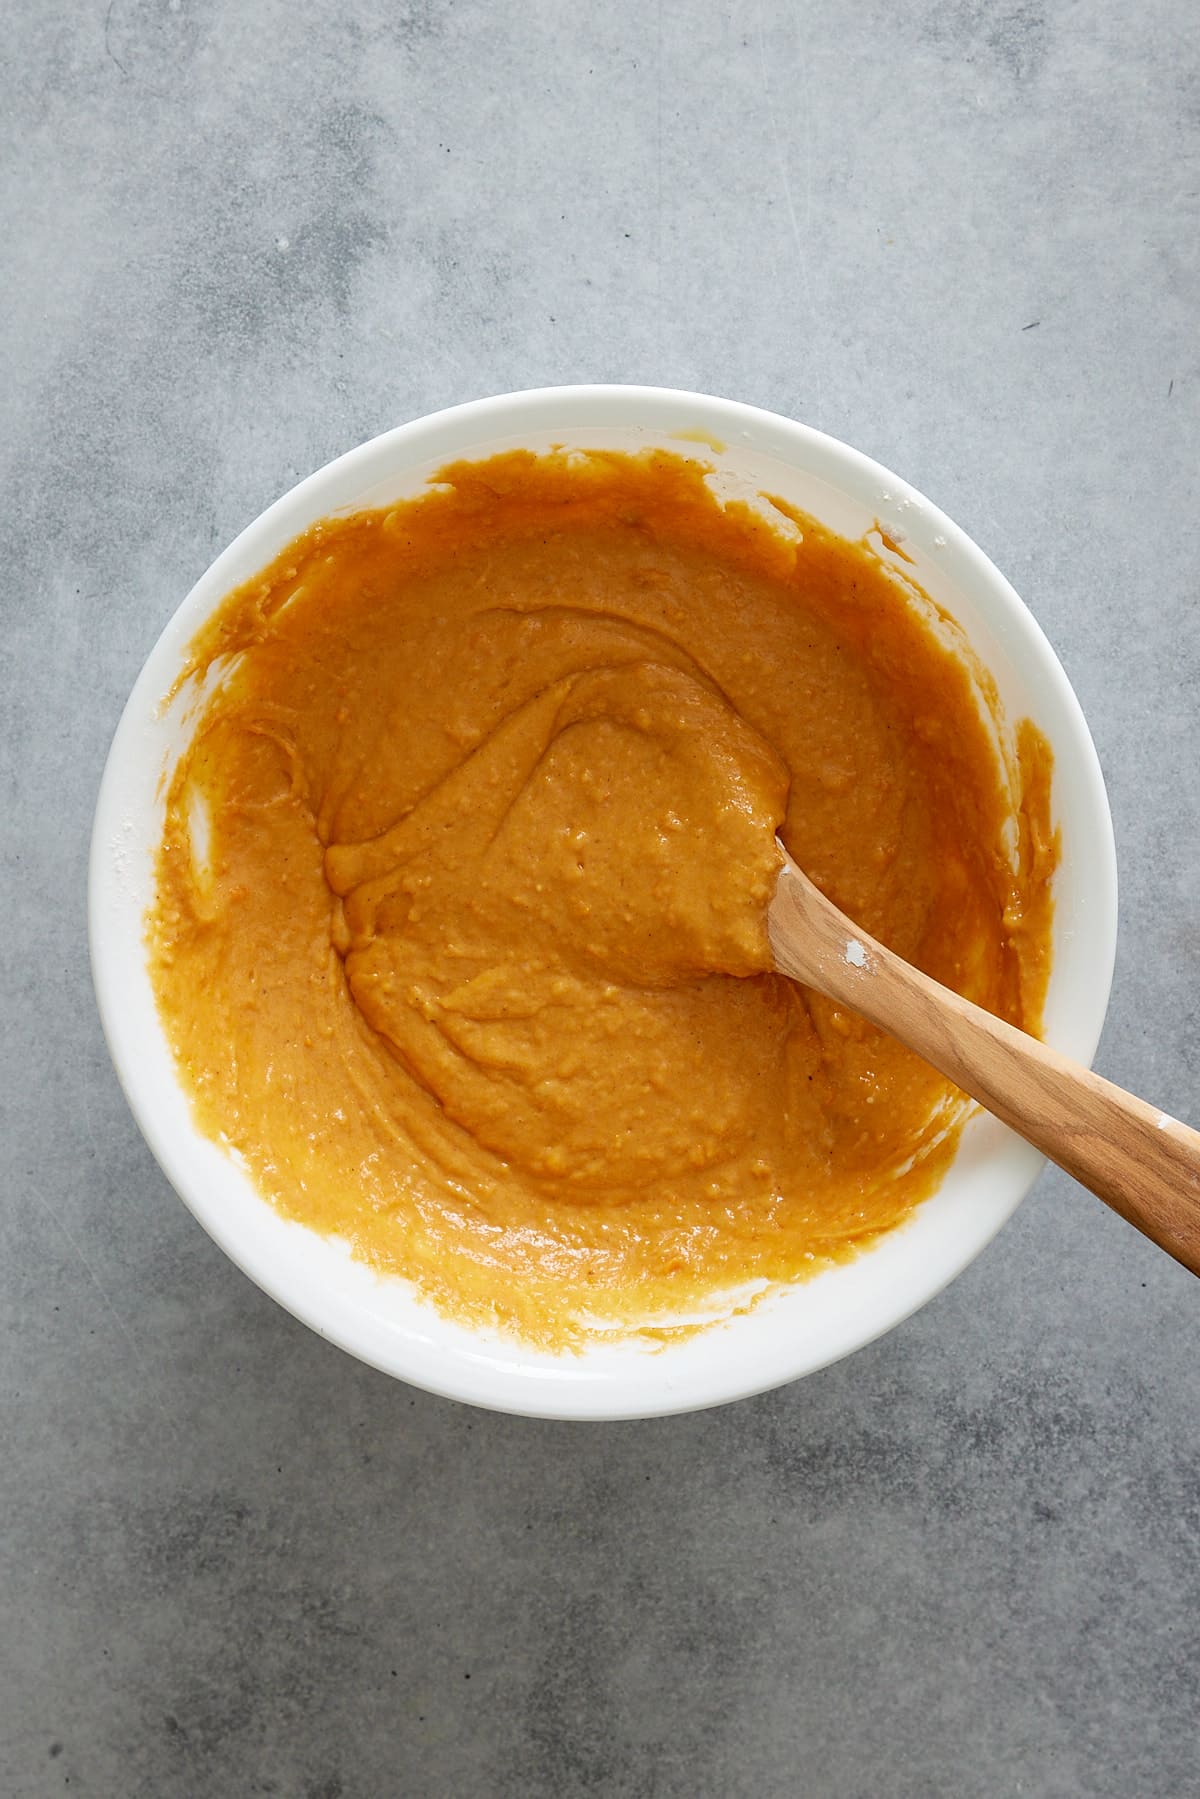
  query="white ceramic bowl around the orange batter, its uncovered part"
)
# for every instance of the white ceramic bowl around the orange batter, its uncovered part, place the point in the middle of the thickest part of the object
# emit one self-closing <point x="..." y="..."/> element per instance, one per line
<point x="791" y="1332"/>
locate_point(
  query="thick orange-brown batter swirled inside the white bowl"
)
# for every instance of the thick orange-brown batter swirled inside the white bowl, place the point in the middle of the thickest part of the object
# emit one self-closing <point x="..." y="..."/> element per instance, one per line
<point x="460" y="931"/>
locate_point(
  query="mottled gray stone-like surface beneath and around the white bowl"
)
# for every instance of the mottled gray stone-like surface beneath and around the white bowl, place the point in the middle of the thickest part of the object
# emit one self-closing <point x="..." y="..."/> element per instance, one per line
<point x="246" y="235"/>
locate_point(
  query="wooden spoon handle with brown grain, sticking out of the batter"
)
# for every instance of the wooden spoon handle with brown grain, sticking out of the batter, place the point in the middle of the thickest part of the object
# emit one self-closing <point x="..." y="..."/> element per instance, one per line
<point x="1134" y="1158"/>
